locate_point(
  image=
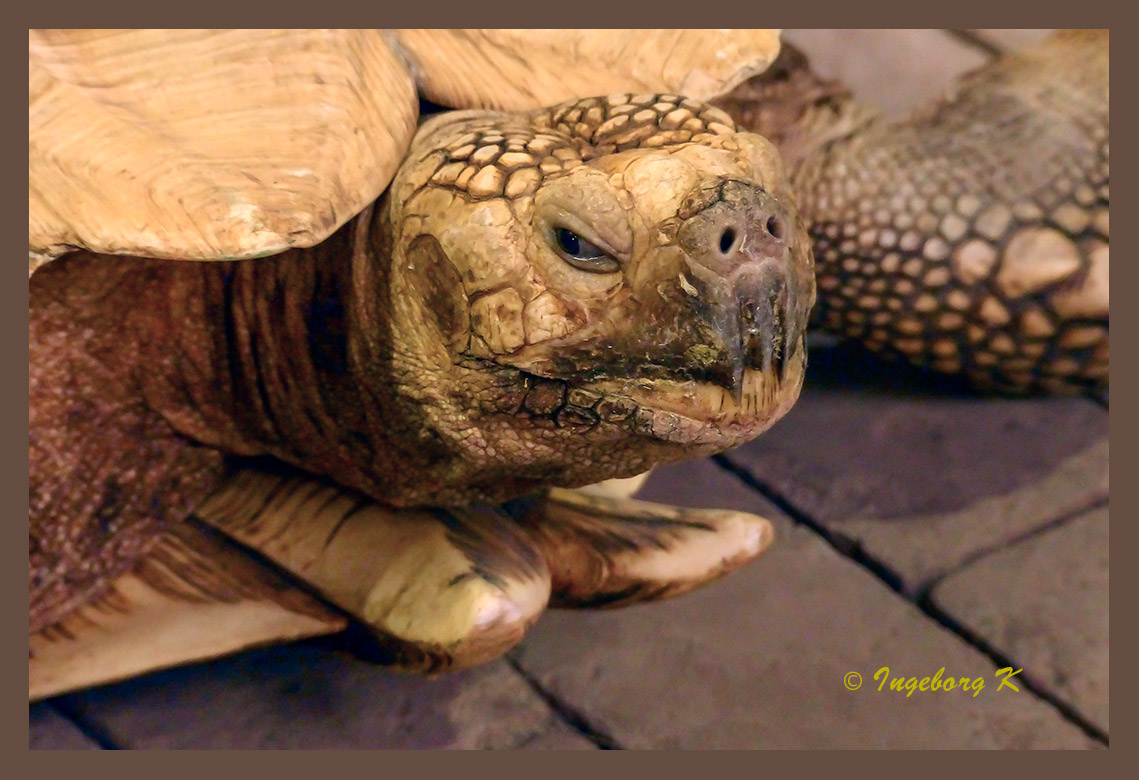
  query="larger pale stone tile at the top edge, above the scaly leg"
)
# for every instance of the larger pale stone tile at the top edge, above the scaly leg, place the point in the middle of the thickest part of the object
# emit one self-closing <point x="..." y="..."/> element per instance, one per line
<point x="894" y="70"/>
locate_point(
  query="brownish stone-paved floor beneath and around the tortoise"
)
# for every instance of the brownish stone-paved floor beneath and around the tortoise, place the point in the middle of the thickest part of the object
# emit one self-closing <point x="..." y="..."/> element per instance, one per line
<point x="920" y="528"/>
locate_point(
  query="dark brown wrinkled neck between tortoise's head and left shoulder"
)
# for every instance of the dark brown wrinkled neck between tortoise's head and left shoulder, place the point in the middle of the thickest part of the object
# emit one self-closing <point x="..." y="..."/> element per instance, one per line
<point x="268" y="357"/>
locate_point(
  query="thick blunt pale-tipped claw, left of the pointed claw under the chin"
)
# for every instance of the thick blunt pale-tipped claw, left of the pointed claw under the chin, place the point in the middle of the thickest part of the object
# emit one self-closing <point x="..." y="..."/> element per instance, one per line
<point x="440" y="589"/>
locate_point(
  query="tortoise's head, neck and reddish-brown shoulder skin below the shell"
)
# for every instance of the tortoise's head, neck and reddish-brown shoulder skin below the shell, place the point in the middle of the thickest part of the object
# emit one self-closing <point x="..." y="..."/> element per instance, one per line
<point x="438" y="350"/>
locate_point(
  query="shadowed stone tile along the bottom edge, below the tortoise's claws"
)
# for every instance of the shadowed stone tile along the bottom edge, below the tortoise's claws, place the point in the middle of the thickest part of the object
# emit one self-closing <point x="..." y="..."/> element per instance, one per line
<point x="307" y="696"/>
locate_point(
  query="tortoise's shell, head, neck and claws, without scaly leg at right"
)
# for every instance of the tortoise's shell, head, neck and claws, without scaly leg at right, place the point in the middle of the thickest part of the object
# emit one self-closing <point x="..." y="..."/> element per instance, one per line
<point x="540" y="297"/>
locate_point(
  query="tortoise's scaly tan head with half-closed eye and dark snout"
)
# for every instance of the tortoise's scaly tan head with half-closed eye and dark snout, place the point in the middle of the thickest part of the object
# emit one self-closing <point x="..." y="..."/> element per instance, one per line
<point x="600" y="286"/>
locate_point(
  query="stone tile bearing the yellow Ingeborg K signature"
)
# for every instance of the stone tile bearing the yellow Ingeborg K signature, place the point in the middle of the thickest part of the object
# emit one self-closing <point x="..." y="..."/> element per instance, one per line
<point x="758" y="660"/>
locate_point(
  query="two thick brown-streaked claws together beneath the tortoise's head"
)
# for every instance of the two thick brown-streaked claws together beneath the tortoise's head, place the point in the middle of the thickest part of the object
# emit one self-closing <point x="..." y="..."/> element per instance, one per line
<point x="452" y="588"/>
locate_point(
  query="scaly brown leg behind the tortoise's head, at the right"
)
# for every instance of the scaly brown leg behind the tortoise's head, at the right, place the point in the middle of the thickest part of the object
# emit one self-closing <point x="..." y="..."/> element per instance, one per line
<point x="971" y="237"/>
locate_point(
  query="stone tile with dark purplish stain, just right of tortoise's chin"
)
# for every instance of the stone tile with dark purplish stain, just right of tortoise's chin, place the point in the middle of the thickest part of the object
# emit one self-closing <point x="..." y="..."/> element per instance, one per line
<point x="923" y="474"/>
